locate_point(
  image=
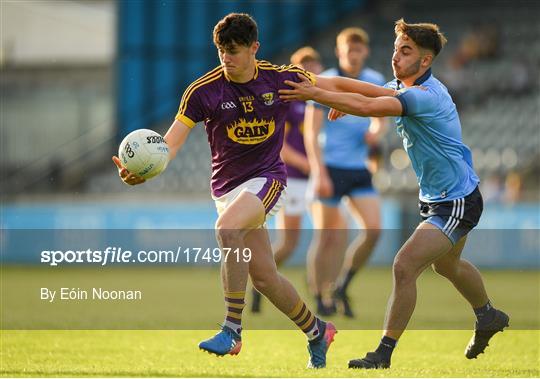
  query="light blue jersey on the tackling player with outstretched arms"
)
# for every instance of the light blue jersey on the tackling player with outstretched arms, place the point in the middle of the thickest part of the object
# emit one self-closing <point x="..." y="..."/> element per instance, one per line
<point x="431" y="133"/>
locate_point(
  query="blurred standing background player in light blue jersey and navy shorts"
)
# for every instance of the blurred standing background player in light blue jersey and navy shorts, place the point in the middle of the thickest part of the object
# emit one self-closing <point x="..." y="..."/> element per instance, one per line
<point x="340" y="172"/>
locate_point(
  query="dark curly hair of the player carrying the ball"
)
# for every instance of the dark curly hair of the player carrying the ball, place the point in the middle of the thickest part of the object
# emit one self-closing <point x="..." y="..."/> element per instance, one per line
<point x="235" y="28"/>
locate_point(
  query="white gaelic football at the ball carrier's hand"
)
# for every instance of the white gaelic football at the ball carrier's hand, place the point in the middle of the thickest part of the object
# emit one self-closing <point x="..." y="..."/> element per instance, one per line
<point x="144" y="152"/>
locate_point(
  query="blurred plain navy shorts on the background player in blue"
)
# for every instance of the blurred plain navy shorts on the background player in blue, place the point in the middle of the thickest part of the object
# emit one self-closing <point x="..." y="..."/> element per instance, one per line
<point x="348" y="182"/>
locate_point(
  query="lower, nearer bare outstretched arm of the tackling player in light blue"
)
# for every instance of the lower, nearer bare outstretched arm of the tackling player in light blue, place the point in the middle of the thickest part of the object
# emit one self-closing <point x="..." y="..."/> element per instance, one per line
<point x="351" y="103"/>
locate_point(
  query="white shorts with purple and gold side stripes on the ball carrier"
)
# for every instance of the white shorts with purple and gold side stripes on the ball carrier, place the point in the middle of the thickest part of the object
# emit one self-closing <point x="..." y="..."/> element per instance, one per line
<point x="268" y="190"/>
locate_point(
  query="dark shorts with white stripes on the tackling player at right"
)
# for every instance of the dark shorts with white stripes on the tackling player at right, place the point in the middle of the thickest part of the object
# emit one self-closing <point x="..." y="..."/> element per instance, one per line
<point x="455" y="218"/>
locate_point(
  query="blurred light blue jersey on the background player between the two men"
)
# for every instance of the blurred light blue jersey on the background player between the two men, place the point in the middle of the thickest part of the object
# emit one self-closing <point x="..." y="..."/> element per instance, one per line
<point x="342" y="141"/>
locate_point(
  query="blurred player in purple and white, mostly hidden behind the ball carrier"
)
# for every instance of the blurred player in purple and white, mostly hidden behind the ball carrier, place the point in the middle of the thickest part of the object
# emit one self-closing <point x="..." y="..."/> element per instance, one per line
<point x="293" y="153"/>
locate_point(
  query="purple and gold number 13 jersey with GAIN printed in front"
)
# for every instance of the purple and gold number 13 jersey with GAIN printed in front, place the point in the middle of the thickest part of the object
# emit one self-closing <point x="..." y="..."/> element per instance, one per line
<point x="245" y="122"/>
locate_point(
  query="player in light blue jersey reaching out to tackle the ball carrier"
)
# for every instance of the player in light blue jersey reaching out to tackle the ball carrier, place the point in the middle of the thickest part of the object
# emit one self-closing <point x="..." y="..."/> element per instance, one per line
<point x="450" y="202"/>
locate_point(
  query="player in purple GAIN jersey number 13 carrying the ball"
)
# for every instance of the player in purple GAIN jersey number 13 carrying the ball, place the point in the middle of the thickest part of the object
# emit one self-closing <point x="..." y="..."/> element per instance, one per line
<point x="245" y="121"/>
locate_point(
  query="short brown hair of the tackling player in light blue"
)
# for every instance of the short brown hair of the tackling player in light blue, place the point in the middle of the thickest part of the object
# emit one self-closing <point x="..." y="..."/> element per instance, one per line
<point x="425" y="35"/>
